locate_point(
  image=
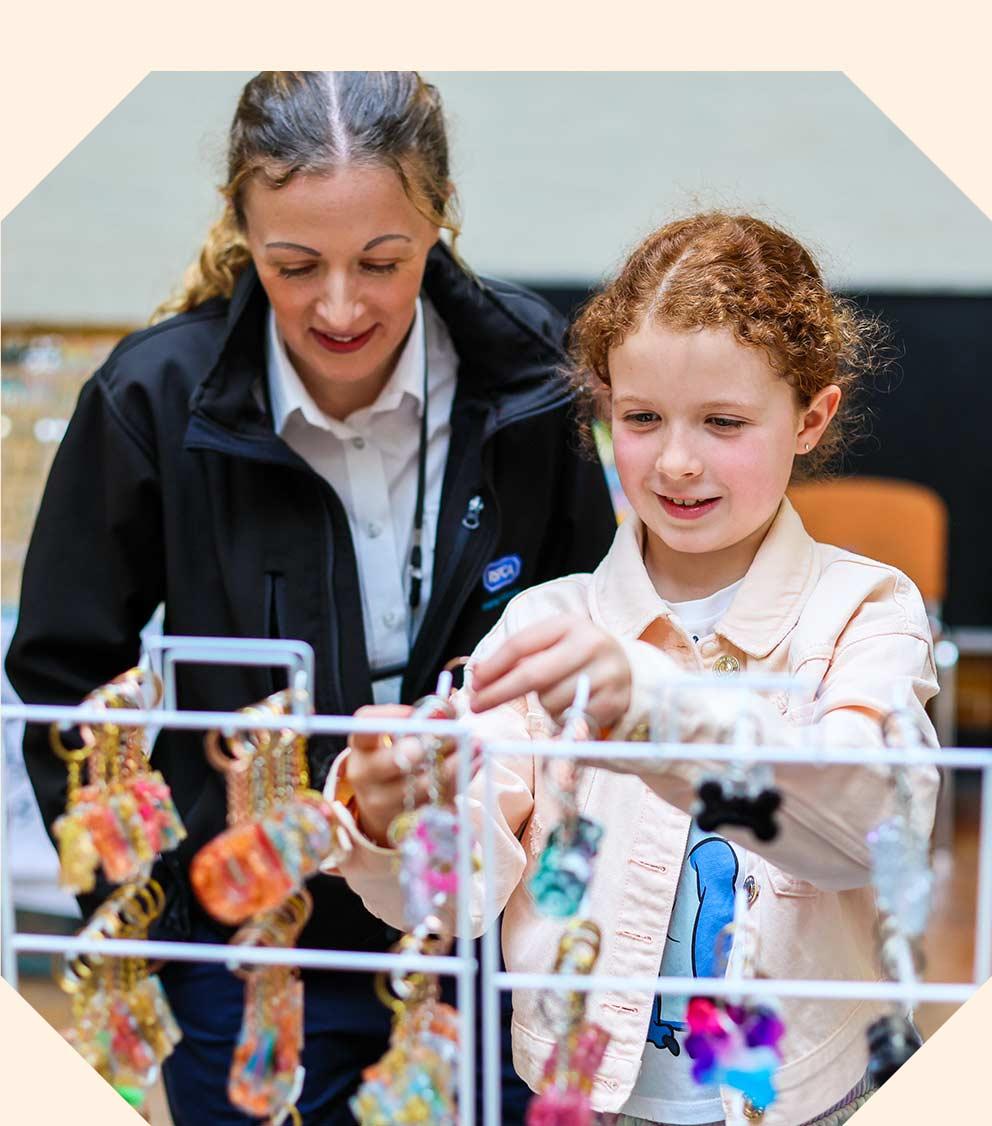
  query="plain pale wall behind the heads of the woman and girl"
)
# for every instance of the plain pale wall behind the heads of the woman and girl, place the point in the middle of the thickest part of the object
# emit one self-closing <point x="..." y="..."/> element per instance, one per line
<point x="558" y="174"/>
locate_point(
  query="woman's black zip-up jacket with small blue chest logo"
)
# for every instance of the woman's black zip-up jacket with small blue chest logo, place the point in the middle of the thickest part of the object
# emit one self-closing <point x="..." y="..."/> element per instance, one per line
<point x="172" y="487"/>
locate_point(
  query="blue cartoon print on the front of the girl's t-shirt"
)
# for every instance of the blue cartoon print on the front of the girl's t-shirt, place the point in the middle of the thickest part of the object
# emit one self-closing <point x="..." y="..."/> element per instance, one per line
<point x="704" y="907"/>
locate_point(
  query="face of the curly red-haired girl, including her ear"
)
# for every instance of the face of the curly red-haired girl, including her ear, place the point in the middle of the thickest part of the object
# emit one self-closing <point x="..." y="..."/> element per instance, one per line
<point x="704" y="436"/>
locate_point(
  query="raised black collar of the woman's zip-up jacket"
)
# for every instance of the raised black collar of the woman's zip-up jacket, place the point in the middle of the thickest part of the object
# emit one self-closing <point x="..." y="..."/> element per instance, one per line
<point x="505" y="353"/>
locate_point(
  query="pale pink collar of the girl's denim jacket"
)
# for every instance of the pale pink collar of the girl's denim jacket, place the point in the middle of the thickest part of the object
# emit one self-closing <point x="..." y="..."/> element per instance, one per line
<point x="766" y="607"/>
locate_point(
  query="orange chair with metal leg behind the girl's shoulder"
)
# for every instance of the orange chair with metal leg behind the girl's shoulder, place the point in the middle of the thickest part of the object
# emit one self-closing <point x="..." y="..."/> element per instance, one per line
<point x="906" y="525"/>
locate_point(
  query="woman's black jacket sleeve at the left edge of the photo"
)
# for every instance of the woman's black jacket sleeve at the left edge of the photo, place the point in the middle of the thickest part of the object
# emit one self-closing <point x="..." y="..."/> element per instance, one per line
<point x="92" y="578"/>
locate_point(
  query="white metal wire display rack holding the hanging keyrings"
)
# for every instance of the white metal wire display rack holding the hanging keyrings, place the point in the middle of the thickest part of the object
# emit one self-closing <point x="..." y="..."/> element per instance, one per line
<point x="167" y="653"/>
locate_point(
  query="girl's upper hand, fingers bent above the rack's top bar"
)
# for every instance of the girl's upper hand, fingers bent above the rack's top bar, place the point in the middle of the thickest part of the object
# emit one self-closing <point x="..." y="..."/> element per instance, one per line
<point x="547" y="659"/>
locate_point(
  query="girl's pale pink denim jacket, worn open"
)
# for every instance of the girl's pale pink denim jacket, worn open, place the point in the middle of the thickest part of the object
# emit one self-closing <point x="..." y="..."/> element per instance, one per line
<point x="854" y="635"/>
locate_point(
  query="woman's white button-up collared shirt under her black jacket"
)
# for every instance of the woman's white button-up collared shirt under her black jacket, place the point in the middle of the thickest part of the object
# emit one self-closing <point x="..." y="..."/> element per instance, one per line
<point x="370" y="460"/>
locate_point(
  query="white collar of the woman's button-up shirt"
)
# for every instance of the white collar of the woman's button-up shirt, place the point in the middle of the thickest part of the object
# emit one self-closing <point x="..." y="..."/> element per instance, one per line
<point x="289" y="395"/>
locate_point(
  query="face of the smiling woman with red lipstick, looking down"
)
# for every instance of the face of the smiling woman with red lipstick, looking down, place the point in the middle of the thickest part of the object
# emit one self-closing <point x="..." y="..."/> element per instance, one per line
<point x="342" y="258"/>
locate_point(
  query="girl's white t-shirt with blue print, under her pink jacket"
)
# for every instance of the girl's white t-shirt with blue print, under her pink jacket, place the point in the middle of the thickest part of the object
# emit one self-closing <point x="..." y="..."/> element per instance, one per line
<point x="665" y="1091"/>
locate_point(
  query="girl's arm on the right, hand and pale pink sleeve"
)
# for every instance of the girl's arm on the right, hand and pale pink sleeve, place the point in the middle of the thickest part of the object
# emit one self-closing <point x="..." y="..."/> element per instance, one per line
<point x="880" y="663"/>
